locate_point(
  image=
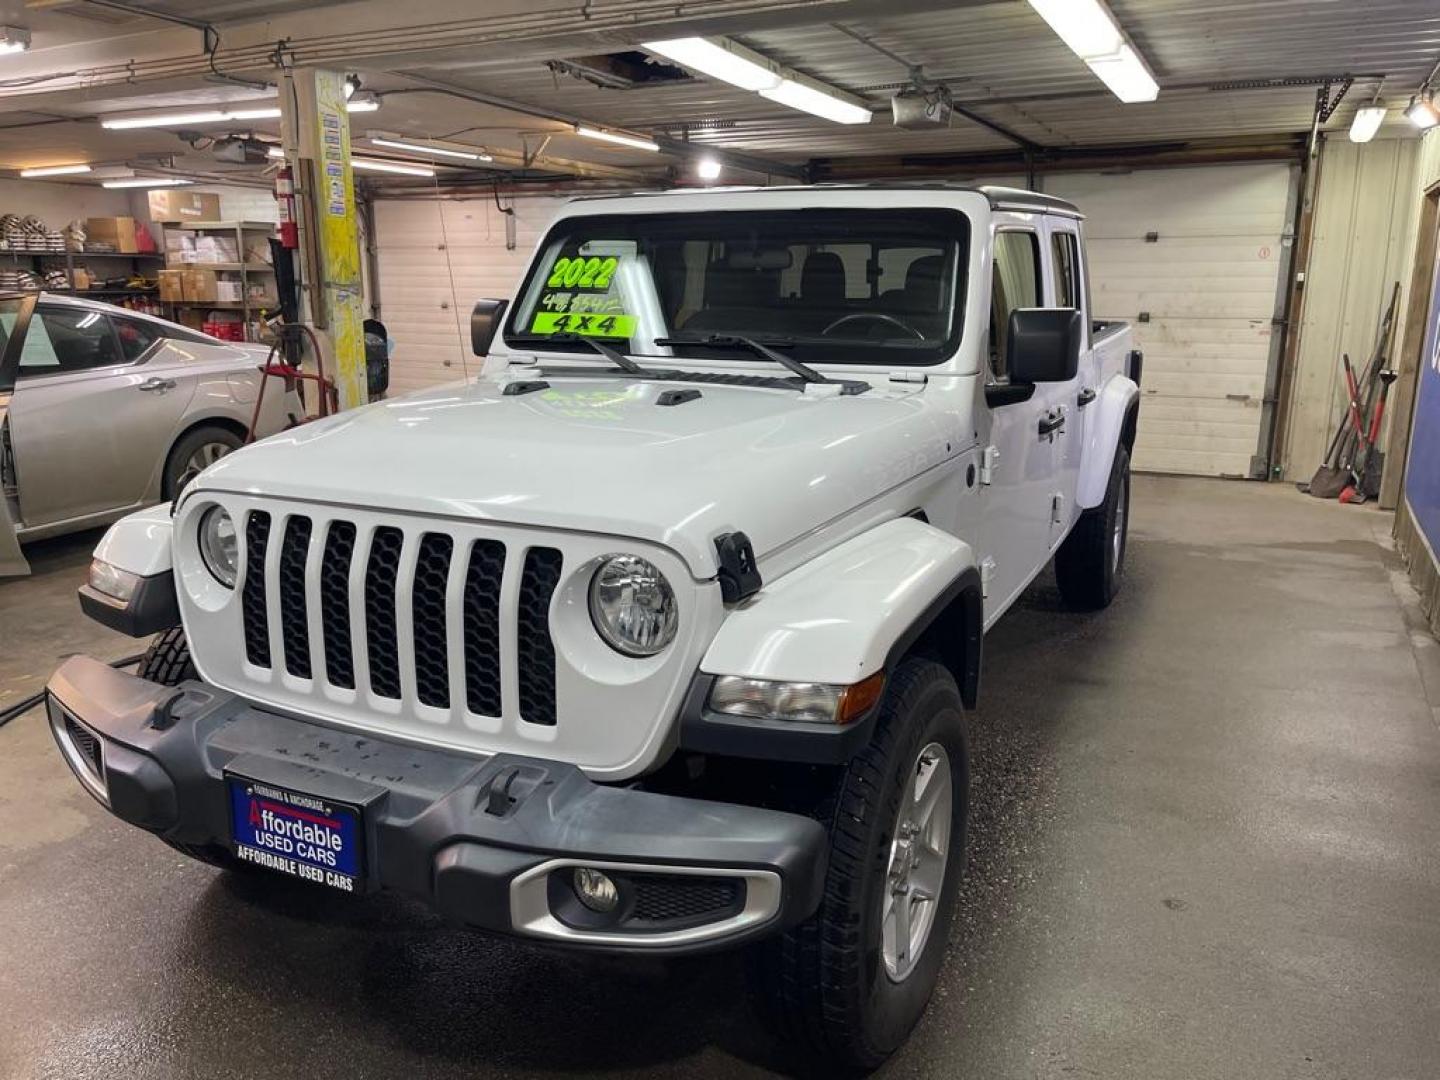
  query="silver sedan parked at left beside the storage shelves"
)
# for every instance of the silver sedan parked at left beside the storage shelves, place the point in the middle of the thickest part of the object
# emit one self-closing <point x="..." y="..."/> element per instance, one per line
<point x="104" y="411"/>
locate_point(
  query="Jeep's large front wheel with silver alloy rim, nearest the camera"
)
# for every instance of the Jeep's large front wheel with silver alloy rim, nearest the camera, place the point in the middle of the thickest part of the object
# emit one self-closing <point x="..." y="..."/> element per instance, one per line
<point x="853" y="980"/>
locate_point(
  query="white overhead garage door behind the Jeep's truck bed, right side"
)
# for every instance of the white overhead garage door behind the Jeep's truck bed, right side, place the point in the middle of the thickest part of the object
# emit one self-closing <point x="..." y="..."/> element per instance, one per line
<point x="1193" y="260"/>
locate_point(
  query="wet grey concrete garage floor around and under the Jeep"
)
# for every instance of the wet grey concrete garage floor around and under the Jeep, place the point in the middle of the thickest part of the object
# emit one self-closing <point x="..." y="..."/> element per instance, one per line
<point x="1205" y="845"/>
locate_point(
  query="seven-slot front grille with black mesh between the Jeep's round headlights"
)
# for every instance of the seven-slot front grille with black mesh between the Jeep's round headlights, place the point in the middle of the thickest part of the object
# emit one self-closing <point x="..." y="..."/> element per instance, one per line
<point x="364" y="585"/>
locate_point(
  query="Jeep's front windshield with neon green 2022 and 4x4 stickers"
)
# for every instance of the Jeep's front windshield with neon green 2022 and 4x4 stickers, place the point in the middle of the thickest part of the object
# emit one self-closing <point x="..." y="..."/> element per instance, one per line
<point x="863" y="287"/>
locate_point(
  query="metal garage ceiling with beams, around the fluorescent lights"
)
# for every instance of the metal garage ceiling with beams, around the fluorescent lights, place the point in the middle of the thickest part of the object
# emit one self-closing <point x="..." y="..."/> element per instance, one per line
<point x="1228" y="71"/>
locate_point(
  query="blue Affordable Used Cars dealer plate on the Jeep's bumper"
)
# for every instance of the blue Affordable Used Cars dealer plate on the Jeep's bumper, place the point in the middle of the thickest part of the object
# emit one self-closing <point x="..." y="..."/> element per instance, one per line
<point x="297" y="834"/>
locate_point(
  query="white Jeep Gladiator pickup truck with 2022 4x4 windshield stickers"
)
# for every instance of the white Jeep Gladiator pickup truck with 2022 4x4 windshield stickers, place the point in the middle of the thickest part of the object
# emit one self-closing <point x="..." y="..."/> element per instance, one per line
<point x="659" y="636"/>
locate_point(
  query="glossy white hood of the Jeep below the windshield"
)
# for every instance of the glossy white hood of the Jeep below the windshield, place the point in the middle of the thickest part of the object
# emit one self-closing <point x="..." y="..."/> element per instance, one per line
<point x="604" y="456"/>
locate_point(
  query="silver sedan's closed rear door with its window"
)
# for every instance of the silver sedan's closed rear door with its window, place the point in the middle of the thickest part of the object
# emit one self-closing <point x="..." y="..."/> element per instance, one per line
<point x="91" y="417"/>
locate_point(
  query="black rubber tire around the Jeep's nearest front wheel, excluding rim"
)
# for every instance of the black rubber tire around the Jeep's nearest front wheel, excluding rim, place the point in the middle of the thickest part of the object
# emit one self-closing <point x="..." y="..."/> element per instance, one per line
<point x="826" y="981"/>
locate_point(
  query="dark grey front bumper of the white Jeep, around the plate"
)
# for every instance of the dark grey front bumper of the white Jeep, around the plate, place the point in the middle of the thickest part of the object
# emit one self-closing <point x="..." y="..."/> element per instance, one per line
<point x="479" y="839"/>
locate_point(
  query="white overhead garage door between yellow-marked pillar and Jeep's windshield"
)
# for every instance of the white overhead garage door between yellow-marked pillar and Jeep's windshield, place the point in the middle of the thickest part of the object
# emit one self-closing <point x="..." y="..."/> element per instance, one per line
<point x="437" y="260"/>
